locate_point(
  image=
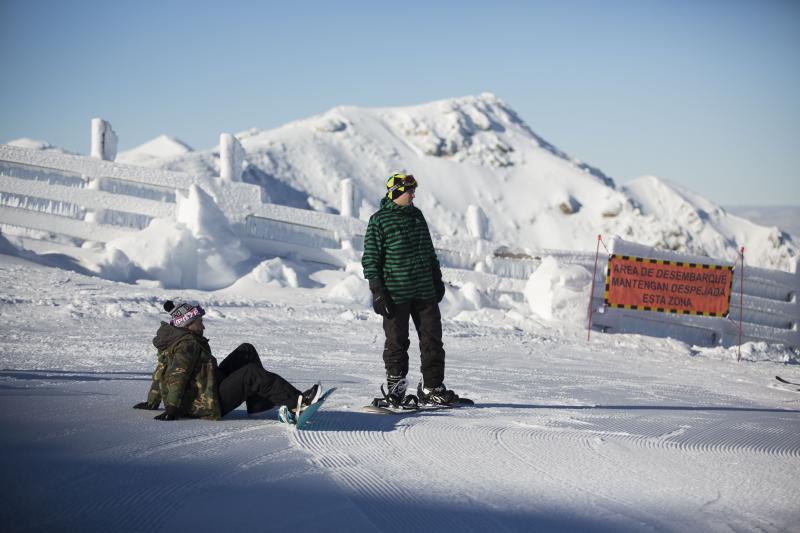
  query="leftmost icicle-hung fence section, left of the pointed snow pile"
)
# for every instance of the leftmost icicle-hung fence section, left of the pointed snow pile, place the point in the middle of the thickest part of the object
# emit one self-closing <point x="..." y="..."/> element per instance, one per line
<point x="94" y="200"/>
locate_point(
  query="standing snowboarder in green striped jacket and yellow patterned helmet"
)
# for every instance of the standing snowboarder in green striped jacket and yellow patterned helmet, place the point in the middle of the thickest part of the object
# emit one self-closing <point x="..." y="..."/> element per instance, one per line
<point x="406" y="281"/>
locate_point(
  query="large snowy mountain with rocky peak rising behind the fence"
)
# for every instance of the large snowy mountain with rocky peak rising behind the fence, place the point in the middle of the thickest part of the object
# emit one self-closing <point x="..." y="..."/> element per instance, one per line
<point x="476" y="150"/>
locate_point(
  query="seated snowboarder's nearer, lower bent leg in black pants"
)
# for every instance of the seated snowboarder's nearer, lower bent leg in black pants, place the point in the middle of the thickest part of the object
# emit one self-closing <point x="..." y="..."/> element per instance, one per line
<point x="261" y="389"/>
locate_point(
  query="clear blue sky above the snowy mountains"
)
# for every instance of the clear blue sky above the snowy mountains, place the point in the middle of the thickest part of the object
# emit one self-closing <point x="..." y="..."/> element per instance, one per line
<point x="704" y="93"/>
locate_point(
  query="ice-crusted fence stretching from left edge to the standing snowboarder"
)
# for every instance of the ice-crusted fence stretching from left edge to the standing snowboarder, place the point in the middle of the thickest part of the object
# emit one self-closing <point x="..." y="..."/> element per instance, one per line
<point x="88" y="199"/>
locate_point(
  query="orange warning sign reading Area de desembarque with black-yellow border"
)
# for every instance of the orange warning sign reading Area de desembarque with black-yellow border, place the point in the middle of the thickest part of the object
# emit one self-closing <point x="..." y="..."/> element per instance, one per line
<point x="668" y="286"/>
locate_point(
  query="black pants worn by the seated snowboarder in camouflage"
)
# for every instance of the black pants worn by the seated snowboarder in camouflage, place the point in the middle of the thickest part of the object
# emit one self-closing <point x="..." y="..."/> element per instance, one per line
<point x="242" y="378"/>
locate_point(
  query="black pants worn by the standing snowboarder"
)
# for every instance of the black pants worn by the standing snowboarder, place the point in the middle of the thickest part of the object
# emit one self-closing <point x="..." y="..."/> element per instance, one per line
<point x="428" y="321"/>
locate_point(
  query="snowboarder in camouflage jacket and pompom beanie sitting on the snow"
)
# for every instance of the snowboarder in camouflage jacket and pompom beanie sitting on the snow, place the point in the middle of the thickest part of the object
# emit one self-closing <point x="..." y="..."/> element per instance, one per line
<point x="191" y="384"/>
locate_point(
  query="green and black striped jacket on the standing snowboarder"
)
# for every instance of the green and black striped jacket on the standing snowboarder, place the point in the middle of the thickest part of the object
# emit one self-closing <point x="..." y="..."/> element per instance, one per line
<point x="398" y="251"/>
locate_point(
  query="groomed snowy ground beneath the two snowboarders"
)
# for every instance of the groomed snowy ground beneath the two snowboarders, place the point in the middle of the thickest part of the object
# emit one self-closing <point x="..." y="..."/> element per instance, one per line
<point x="624" y="433"/>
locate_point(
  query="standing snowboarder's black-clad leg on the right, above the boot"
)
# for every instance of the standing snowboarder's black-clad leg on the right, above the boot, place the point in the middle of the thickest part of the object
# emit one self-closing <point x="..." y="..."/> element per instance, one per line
<point x="428" y="321"/>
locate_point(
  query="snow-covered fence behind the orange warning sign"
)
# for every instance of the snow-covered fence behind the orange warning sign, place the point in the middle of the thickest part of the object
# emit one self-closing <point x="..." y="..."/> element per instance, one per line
<point x="770" y="307"/>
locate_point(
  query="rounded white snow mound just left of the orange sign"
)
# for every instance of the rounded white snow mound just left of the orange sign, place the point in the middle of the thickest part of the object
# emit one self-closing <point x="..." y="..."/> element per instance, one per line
<point x="556" y="291"/>
